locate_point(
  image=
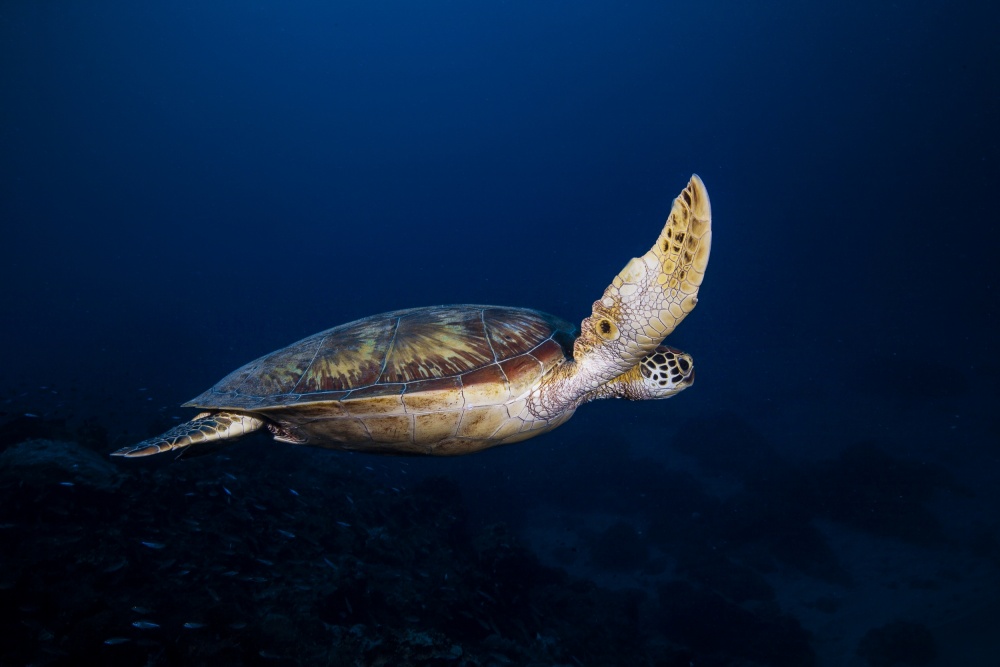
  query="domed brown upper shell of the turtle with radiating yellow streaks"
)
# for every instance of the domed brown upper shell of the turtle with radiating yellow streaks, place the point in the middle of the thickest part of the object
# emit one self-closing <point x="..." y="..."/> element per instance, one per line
<point x="415" y="360"/>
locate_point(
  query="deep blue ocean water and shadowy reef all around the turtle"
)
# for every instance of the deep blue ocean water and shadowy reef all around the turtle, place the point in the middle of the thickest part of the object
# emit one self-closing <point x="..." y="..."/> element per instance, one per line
<point x="187" y="186"/>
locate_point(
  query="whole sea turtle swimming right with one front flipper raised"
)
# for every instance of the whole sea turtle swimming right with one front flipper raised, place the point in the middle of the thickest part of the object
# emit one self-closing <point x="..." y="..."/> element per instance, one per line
<point x="457" y="379"/>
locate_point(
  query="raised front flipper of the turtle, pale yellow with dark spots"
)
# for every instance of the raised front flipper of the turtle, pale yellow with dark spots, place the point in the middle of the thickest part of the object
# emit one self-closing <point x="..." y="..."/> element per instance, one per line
<point x="651" y="295"/>
